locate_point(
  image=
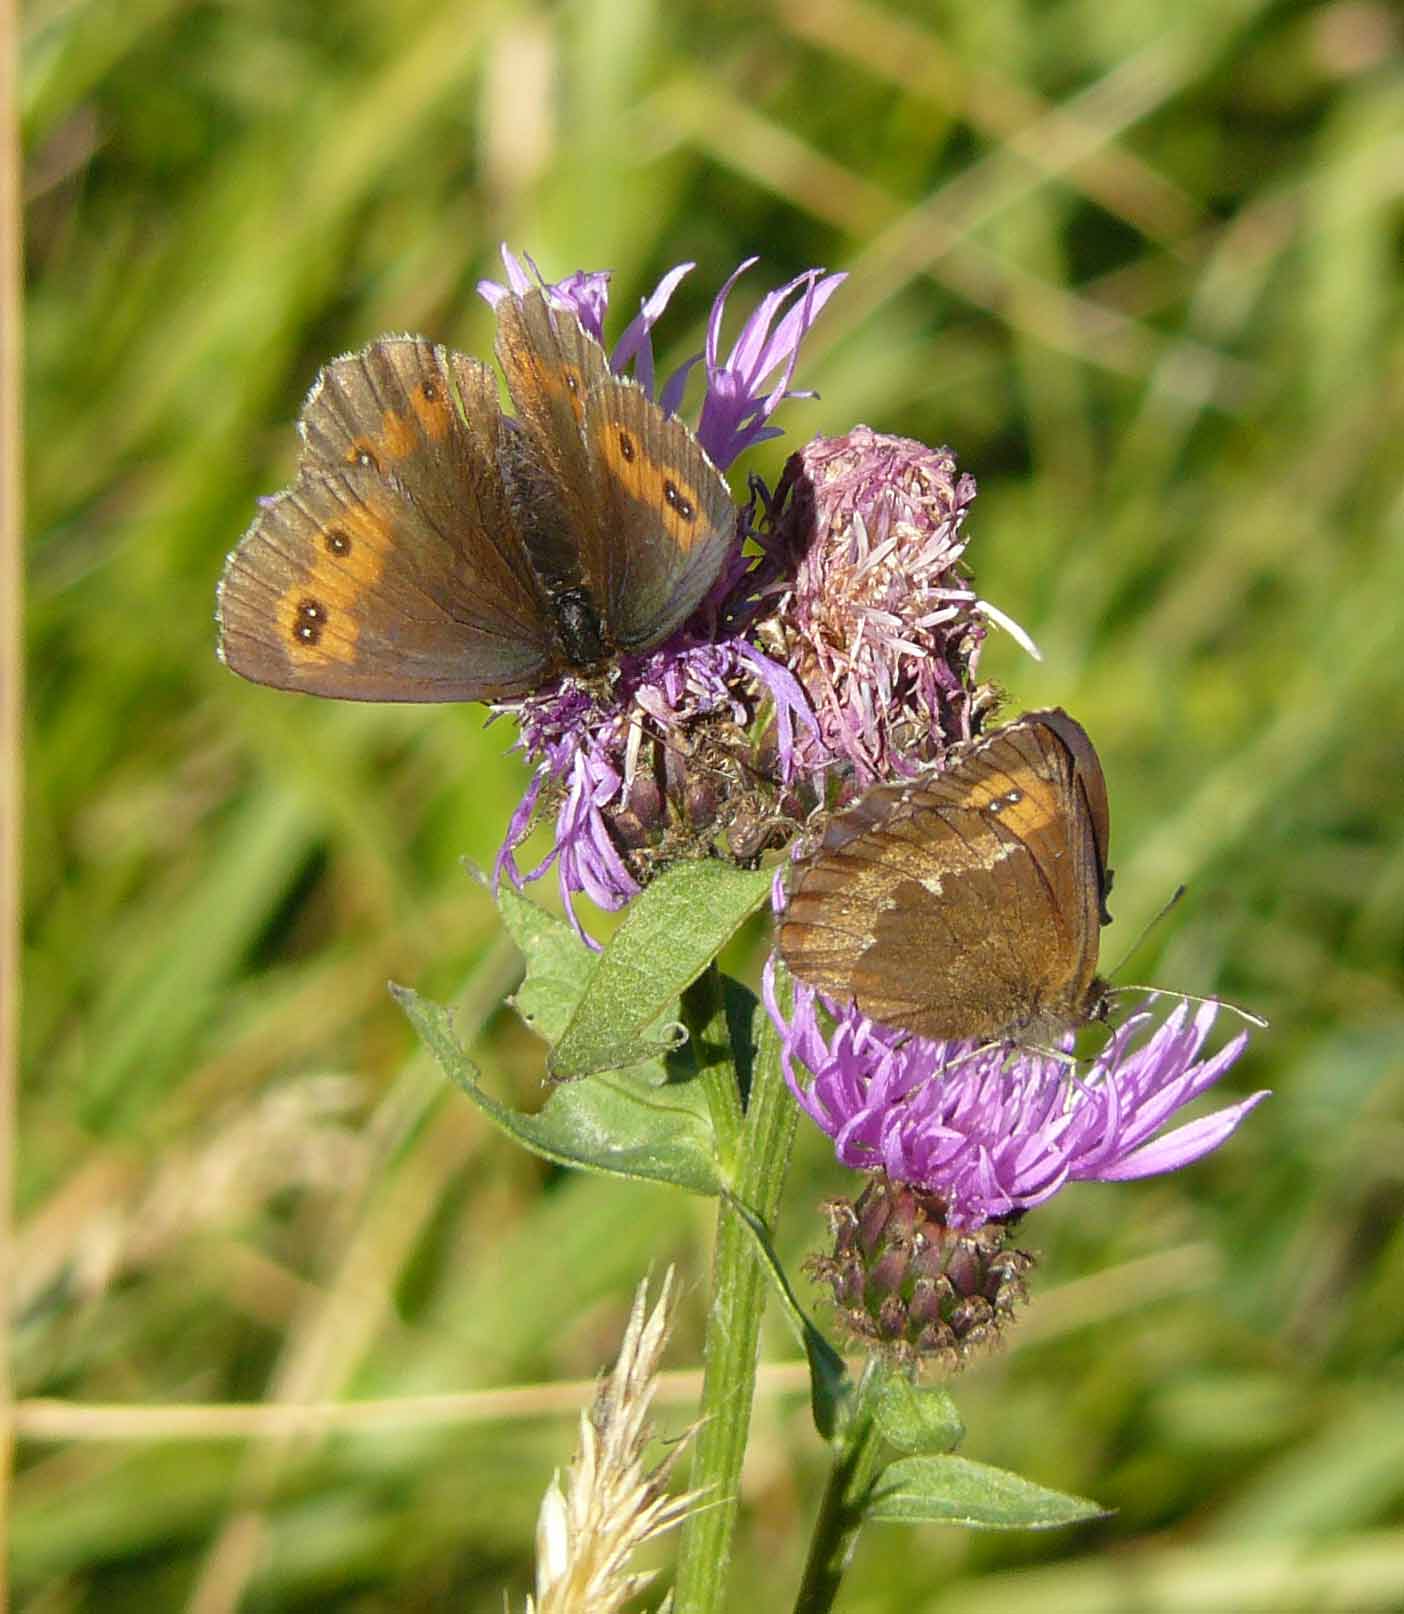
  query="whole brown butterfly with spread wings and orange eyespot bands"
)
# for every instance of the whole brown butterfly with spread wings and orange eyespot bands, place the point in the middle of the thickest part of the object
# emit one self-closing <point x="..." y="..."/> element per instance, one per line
<point x="437" y="550"/>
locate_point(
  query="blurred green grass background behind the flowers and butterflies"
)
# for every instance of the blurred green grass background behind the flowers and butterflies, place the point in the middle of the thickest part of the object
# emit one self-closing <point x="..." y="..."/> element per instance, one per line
<point x="1142" y="269"/>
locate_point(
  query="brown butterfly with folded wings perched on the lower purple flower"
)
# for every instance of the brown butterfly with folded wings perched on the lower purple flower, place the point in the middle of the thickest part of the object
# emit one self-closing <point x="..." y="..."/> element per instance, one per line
<point x="967" y="905"/>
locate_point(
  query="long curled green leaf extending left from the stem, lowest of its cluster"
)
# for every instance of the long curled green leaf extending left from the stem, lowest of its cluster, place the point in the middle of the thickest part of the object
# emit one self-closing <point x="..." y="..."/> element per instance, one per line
<point x="616" y="1126"/>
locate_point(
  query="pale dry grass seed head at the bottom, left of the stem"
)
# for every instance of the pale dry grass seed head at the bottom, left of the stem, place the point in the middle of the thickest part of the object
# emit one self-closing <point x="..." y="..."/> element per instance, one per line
<point x="612" y="1503"/>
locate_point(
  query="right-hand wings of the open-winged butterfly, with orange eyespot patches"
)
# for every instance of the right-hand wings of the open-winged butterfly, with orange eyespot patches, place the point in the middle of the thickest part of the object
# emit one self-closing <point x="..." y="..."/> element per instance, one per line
<point x="635" y="504"/>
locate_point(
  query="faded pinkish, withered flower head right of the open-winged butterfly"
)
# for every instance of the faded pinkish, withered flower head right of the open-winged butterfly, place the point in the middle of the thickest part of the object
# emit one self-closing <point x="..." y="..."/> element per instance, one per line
<point x="872" y="608"/>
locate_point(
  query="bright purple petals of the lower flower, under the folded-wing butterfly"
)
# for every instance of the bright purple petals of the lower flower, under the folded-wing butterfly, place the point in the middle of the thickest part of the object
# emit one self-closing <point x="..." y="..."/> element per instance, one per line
<point x="993" y="1131"/>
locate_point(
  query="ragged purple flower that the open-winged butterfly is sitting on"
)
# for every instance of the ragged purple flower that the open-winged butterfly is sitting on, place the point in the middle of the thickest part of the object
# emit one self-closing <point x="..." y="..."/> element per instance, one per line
<point x="658" y="761"/>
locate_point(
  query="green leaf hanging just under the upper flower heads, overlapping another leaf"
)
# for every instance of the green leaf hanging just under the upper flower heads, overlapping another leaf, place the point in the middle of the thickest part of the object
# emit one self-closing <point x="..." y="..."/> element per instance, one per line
<point x="672" y="932"/>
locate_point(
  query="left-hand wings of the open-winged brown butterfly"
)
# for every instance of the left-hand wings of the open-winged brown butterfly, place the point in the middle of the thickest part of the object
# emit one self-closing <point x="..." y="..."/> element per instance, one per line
<point x="393" y="569"/>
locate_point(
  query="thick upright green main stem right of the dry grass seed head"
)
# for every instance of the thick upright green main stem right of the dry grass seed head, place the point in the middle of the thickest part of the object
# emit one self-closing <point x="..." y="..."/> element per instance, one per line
<point x="733" y="1332"/>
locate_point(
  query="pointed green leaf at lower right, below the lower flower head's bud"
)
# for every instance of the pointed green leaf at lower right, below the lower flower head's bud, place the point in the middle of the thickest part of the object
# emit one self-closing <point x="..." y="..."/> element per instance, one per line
<point x="955" y="1491"/>
